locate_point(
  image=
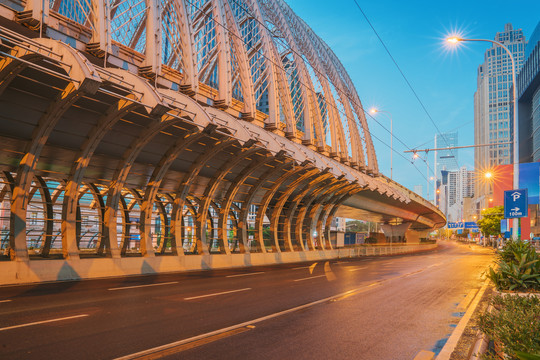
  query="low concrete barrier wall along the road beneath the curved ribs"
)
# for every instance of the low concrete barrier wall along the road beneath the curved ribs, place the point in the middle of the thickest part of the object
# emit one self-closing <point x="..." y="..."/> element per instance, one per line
<point x="37" y="271"/>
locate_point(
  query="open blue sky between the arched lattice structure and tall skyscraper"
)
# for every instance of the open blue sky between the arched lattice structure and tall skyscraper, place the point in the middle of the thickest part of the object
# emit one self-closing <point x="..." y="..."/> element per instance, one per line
<point x="445" y="80"/>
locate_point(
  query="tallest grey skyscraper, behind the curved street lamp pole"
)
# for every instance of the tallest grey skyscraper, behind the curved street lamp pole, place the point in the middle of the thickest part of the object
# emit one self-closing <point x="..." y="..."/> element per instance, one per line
<point x="493" y="122"/>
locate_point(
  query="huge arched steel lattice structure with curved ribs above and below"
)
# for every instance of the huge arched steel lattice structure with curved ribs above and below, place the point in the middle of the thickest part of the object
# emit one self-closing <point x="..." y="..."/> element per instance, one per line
<point x="144" y="128"/>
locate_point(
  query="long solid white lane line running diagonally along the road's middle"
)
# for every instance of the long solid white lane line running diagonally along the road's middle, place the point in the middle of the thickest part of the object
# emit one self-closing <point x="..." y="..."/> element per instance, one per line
<point x="244" y="324"/>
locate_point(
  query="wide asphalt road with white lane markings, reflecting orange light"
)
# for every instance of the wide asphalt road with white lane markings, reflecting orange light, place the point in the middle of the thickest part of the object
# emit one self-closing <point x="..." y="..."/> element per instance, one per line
<point x="367" y="308"/>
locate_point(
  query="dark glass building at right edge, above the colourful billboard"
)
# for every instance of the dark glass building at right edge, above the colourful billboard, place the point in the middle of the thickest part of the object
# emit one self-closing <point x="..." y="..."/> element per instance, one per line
<point x="528" y="94"/>
